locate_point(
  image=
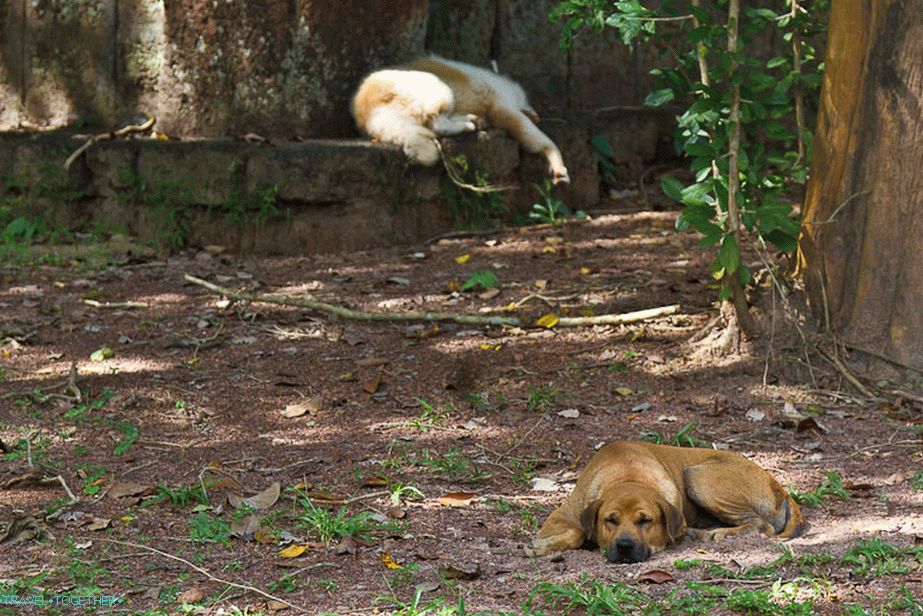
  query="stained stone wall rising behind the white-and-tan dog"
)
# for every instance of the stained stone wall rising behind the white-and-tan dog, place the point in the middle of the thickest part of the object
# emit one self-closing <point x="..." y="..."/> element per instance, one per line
<point x="284" y="69"/>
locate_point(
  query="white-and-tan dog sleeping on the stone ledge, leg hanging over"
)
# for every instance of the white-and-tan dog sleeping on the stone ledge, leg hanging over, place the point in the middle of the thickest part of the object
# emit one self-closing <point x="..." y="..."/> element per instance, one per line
<point x="411" y="105"/>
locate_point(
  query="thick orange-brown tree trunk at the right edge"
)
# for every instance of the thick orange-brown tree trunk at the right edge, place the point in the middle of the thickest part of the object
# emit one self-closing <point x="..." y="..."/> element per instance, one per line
<point x="861" y="248"/>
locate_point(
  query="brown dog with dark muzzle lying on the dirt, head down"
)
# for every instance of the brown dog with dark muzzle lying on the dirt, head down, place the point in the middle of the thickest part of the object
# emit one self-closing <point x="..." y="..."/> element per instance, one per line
<point x="634" y="499"/>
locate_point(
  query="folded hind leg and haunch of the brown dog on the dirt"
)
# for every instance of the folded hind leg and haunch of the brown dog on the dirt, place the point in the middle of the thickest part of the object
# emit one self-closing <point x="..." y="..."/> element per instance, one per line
<point x="746" y="498"/>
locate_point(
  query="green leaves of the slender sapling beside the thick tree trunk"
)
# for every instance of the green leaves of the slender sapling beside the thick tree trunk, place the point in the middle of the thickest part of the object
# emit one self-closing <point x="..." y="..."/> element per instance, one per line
<point x="770" y="163"/>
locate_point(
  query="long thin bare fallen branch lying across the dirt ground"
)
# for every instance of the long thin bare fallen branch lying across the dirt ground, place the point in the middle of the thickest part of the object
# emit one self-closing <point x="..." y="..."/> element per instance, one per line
<point x="359" y="315"/>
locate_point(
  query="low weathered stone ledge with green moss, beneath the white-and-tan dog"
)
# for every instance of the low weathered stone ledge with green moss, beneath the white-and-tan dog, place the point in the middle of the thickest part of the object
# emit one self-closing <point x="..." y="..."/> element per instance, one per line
<point x="286" y="198"/>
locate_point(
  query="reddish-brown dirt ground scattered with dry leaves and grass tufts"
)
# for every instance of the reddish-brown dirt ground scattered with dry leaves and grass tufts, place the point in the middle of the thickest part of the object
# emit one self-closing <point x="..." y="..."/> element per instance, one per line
<point x="384" y="420"/>
